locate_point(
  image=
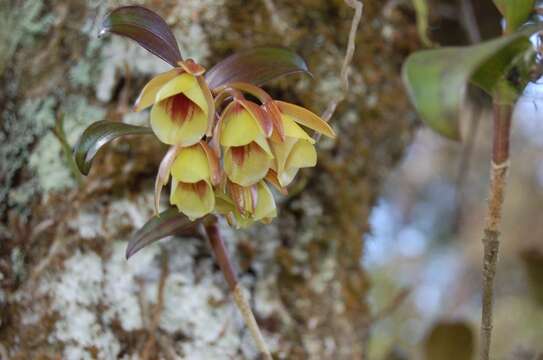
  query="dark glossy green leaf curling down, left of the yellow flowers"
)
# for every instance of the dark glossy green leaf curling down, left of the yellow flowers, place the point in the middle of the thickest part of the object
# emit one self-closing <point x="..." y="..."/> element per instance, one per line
<point x="99" y="134"/>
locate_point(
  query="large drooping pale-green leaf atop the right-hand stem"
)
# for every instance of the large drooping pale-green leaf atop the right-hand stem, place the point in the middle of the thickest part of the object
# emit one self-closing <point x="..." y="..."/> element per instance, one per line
<point x="436" y="79"/>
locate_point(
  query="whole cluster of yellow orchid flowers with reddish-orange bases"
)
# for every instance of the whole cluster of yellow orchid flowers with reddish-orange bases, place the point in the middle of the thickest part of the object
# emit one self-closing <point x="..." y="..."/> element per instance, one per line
<point x="226" y="149"/>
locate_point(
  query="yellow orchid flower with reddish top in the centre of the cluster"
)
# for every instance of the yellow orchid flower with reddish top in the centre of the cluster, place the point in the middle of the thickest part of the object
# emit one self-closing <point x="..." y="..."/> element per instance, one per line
<point x="243" y="134"/>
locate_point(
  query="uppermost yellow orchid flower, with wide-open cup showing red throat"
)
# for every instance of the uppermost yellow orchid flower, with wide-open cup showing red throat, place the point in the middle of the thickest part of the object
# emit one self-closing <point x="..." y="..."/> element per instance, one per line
<point x="183" y="107"/>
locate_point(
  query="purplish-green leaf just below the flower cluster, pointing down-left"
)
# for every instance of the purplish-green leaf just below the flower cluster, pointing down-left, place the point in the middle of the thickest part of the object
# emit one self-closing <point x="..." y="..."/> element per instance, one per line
<point x="168" y="222"/>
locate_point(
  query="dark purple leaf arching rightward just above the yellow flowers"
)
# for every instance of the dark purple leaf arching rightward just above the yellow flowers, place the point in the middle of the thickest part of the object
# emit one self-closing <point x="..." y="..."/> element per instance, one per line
<point x="256" y="66"/>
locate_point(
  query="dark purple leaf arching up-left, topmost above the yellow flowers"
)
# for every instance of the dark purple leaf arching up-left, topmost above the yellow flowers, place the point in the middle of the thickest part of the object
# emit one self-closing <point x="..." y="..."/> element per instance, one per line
<point x="146" y="28"/>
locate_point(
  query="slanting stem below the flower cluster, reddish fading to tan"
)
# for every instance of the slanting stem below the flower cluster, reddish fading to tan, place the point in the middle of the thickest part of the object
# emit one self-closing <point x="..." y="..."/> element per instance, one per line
<point x="222" y="258"/>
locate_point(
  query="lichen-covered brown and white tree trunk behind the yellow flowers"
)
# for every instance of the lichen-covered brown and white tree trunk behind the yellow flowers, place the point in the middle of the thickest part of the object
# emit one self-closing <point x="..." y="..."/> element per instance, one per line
<point x="67" y="291"/>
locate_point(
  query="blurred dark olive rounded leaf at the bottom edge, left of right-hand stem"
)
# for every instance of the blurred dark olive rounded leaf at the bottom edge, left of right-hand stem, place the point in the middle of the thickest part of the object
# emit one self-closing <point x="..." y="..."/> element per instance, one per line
<point x="449" y="341"/>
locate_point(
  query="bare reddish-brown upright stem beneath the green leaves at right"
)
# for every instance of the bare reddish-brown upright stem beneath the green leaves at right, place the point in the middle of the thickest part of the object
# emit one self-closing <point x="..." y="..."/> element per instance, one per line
<point x="491" y="243"/>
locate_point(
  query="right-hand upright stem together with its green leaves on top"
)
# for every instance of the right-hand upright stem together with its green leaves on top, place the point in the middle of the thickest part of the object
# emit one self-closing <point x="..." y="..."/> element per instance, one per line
<point x="436" y="81"/>
